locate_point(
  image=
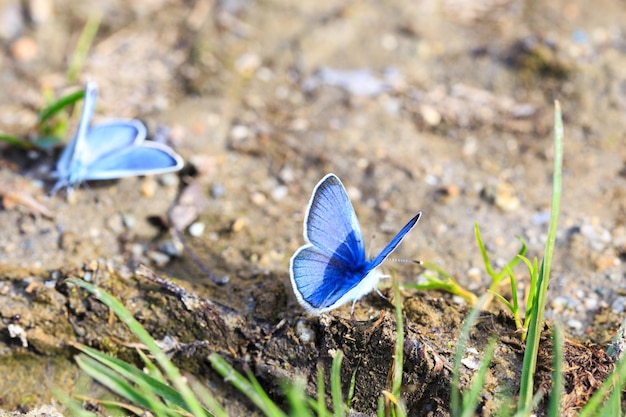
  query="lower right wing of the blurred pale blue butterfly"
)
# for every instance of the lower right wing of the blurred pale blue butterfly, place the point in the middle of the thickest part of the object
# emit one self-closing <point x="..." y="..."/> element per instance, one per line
<point x="147" y="158"/>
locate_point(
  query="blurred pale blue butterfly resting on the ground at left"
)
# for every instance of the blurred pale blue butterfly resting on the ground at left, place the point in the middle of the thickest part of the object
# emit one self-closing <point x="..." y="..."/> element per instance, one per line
<point x="110" y="150"/>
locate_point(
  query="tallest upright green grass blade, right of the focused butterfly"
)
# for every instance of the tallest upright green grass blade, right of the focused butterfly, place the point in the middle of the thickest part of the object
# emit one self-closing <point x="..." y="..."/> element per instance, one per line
<point x="536" y="323"/>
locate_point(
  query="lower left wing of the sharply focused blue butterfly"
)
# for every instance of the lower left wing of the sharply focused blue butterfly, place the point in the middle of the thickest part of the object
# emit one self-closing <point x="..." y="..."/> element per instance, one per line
<point x="320" y="280"/>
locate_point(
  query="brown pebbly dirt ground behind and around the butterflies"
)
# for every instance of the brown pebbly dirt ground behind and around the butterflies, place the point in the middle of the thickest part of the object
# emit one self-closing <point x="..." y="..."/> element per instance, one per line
<point x="444" y="107"/>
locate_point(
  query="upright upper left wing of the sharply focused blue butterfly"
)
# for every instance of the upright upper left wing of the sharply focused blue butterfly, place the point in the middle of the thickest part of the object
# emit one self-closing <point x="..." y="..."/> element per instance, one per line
<point x="331" y="224"/>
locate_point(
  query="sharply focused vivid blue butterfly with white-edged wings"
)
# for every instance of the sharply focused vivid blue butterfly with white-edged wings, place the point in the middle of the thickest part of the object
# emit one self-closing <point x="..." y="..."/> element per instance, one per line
<point x="331" y="268"/>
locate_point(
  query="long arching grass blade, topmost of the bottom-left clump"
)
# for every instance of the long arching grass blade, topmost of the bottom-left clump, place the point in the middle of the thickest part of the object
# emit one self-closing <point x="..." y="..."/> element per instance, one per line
<point x="144" y="337"/>
